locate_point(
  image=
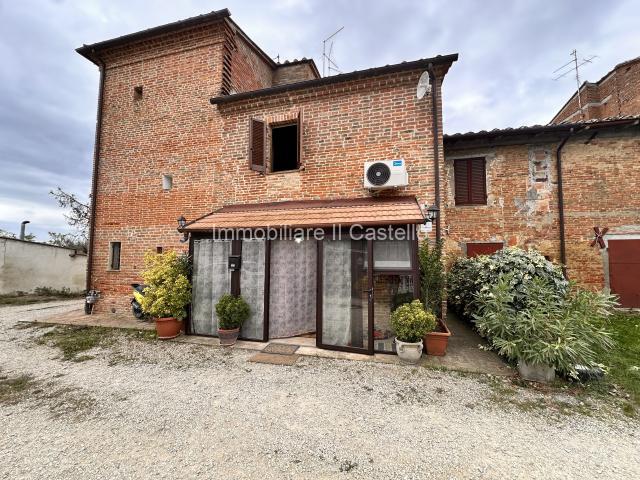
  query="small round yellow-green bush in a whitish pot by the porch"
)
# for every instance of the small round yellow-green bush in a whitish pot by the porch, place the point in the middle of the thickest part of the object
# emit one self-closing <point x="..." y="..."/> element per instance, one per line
<point x="411" y="322"/>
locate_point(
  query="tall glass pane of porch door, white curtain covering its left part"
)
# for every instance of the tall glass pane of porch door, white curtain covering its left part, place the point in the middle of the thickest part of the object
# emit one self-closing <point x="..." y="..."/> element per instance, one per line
<point x="344" y="295"/>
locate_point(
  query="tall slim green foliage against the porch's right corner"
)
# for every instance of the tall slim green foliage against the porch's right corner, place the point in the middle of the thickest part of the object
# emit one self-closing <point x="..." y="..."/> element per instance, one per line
<point x="432" y="277"/>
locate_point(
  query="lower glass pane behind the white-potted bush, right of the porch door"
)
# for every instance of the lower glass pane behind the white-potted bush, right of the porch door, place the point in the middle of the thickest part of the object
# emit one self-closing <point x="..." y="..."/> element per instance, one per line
<point x="390" y="291"/>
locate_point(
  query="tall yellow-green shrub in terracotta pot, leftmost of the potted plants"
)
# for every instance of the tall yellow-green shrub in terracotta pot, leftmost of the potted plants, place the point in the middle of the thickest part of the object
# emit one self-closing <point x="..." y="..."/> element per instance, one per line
<point x="167" y="292"/>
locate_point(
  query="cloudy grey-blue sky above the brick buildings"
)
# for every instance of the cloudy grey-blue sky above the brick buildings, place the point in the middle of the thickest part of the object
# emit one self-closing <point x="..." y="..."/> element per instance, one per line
<point x="508" y="52"/>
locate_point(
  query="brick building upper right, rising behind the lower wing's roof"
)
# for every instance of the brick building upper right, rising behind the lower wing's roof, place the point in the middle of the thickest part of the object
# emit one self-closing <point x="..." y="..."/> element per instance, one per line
<point x="615" y="94"/>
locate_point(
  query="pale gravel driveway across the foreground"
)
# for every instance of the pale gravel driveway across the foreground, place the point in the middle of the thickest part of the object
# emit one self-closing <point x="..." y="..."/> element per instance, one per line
<point x="146" y="409"/>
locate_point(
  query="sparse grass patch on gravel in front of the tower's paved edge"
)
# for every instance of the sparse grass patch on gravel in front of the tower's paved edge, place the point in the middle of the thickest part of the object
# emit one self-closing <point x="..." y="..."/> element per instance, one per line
<point x="74" y="340"/>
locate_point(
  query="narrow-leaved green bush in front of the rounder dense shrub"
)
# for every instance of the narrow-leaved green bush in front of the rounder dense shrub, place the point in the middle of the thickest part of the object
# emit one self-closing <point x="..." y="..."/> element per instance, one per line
<point x="549" y="327"/>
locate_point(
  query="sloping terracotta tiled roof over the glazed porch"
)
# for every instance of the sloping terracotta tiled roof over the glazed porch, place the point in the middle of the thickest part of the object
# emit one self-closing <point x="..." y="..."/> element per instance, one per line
<point x="313" y="213"/>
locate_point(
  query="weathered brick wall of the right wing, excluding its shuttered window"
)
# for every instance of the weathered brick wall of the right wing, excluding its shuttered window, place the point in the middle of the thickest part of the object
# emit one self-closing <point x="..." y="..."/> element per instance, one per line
<point x="600" y="181"/>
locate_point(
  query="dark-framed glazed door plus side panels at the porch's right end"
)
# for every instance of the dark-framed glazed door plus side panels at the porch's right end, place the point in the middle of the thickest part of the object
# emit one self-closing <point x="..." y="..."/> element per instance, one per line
<point x="360" y="283"/>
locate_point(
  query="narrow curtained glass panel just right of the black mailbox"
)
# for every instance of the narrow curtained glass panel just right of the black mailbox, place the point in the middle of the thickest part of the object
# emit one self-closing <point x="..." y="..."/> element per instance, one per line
<point x="252" y="287"/>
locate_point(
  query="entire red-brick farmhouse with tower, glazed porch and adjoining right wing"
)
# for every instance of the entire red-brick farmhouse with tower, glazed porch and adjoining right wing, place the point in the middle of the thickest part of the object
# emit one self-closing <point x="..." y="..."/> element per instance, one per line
<point x="196" y="122"/>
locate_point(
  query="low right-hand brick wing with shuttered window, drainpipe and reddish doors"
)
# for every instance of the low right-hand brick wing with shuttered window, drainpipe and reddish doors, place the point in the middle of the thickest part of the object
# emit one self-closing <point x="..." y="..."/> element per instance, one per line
<point x="518" y="201"/>
